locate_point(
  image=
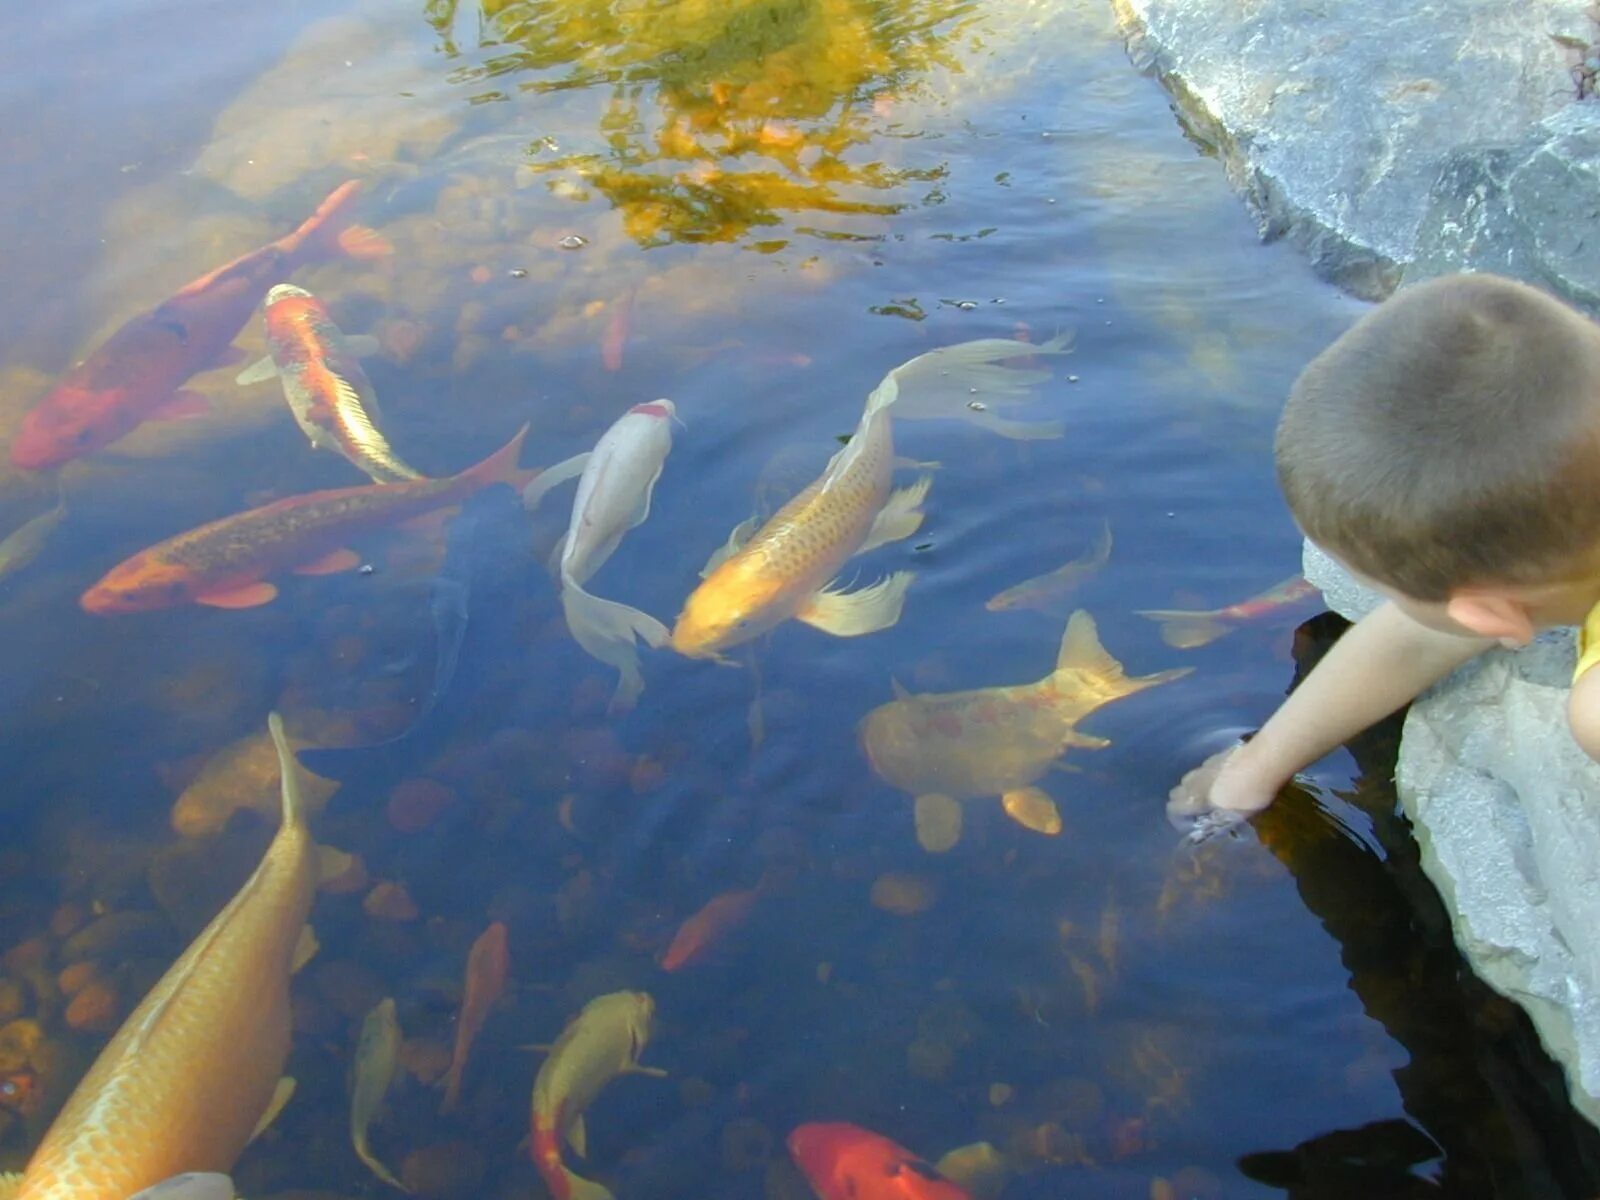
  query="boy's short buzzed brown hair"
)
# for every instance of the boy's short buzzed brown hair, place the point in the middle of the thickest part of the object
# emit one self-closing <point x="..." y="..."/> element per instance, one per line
<point x="1452" y="438"/>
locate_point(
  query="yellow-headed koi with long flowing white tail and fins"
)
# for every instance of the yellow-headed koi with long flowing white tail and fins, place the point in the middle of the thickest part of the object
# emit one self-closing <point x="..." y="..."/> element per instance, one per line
<point x="785" y="570"/>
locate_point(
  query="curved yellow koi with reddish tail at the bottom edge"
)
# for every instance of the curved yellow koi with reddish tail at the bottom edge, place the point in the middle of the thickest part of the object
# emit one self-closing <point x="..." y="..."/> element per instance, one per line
<point x="602" y="1042"/>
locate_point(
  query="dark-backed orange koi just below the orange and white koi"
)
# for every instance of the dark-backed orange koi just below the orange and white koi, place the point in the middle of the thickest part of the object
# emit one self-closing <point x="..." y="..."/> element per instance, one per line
<point x="226" y="564"/>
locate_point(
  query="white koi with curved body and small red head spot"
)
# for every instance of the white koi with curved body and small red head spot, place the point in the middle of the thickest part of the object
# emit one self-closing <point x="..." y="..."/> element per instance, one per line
<point x="615" y="484"/>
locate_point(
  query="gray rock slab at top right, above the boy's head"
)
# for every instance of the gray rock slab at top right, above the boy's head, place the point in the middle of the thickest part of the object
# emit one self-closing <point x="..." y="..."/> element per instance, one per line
<point x="1356" y="127"/>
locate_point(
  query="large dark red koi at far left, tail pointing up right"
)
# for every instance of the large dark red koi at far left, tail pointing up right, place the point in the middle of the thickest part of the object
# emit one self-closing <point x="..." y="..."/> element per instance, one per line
<point x="137" y="374"/>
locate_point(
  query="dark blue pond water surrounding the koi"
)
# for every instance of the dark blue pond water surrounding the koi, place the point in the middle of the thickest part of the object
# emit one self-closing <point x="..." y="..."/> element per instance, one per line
<point x="754" y="209"/>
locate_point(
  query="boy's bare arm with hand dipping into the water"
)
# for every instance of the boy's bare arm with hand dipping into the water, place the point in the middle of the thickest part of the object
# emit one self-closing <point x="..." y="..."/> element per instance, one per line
<point x="1383" y="662"/>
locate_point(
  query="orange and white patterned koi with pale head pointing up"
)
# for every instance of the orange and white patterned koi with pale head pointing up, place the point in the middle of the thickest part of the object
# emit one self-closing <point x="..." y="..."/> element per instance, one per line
<point x="324" y="383"/>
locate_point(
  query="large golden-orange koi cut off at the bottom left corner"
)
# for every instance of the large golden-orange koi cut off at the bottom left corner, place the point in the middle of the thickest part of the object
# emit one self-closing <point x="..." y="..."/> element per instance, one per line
<point x="194" y="1070"/>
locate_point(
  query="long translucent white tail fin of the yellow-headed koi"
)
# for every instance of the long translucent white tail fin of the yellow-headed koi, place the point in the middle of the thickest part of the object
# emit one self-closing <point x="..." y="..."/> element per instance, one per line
<point x="966" y="382"/>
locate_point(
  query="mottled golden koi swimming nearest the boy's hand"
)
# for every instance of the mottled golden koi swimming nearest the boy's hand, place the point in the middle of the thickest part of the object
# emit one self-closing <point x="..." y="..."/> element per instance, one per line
<point x="998" y="742"/>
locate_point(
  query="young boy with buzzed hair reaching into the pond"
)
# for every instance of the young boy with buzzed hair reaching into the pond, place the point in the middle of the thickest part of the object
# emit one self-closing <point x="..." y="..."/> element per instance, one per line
<point x="1447" y="452"/>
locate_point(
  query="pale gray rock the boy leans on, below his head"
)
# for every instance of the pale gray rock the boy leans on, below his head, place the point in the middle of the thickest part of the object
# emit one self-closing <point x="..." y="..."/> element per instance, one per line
<point x="1506" y="812"/>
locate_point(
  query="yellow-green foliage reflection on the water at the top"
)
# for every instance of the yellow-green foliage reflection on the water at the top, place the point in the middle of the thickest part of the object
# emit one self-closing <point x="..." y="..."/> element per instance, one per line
<point x="722" y="114"/>
